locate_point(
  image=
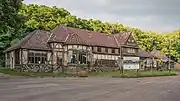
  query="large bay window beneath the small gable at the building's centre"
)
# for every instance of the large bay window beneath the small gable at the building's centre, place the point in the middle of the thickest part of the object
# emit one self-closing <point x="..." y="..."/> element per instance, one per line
<point x="77" y="57"/>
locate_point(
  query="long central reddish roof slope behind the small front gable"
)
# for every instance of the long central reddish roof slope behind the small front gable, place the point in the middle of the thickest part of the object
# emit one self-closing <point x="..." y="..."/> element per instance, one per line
<point x="60" y="34"/>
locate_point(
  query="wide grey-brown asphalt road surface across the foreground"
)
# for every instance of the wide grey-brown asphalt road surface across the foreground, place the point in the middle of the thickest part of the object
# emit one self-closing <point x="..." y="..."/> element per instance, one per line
<point x="90" y="89"/>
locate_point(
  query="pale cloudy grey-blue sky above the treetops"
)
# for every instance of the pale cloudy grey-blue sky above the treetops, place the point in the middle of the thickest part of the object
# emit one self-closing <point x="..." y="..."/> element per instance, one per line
<point x="149" y="15"/>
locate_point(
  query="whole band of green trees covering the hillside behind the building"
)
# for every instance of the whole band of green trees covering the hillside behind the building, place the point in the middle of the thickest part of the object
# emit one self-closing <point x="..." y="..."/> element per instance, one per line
<point x="13" y="26"/>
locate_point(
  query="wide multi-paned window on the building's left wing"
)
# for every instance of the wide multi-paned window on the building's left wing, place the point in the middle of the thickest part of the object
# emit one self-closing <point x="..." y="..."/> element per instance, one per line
<point x="37" y="57"/>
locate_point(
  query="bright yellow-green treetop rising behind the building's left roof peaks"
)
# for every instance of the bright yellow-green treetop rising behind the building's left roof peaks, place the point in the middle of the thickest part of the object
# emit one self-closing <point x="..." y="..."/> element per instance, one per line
<point x="44" y="17"/>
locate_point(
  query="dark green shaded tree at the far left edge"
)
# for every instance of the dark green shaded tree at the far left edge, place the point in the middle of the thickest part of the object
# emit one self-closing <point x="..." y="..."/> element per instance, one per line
<point x="11" y="23"/>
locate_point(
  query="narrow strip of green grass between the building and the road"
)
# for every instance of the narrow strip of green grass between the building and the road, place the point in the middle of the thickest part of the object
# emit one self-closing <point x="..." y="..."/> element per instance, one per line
<point x="126" y="74"/>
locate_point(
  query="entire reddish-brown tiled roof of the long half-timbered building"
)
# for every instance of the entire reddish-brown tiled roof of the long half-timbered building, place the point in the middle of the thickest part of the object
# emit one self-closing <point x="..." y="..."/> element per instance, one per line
<point x="38" y="39"/>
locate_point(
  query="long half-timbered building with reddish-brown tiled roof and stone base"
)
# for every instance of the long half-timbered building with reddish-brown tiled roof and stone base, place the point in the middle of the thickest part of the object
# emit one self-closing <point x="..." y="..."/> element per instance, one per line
<point x="66" y="47"/>
